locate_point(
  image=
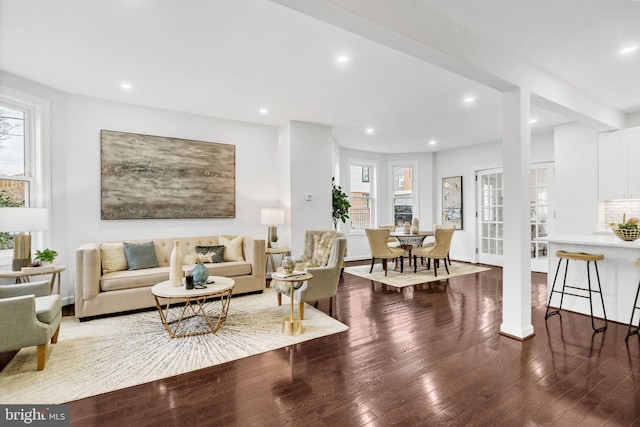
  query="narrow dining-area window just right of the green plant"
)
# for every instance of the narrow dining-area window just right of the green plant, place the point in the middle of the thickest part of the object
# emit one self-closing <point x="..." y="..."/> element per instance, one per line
<point x="361" y="177"/>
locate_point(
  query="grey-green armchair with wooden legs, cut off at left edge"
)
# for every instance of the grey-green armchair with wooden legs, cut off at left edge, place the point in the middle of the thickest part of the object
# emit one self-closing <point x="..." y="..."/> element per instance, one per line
<point x="29" y="316"/>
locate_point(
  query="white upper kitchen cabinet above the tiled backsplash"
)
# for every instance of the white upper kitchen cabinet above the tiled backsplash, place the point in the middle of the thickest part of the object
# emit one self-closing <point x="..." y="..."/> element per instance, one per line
<point x="618" y="167"/>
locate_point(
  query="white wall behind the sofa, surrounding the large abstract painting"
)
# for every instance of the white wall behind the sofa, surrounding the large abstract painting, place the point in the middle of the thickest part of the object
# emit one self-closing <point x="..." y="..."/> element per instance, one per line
<point x="76" y="122"/>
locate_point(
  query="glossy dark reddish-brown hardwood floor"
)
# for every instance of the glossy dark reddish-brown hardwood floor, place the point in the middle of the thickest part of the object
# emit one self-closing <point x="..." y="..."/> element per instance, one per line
<point x="424" y="355"/>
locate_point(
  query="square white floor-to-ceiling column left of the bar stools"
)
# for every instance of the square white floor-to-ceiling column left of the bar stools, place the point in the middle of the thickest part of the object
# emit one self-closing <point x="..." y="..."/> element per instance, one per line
<point x="516" y="275"/>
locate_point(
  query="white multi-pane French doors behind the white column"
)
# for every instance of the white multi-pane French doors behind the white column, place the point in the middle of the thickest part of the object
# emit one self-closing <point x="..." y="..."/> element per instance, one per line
<point x="490" y="225"/>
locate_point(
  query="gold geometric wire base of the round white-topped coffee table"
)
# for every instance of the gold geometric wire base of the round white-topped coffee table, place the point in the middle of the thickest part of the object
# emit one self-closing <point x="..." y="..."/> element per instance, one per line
<point x="193" y="307"/>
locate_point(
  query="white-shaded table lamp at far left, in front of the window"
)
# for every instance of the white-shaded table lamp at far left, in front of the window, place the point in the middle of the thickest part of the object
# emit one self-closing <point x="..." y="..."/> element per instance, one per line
<point x="21" y="221"/>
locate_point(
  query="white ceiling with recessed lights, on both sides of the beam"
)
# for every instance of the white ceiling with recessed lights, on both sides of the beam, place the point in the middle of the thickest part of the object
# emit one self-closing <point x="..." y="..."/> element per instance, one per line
<point x="228" y="58"/>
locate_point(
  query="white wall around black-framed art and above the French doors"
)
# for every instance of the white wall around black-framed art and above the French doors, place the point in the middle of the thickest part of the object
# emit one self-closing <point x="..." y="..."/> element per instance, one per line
<point x="465" y="162"/>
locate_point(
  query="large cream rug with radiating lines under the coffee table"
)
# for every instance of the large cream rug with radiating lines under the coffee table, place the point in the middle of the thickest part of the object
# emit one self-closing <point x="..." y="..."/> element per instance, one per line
<point x="107" y="354"/>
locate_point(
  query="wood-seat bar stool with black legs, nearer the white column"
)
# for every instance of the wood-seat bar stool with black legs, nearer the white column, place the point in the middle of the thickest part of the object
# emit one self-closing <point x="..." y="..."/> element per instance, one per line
<point x="578" y="256"/>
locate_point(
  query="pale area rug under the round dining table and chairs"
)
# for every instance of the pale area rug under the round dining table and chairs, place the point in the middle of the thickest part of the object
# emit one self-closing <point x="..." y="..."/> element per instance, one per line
<point x="408" y="278"/>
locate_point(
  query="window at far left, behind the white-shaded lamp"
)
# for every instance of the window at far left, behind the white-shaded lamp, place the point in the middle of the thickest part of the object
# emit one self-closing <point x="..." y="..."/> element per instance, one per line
<point x="16" y="160"/>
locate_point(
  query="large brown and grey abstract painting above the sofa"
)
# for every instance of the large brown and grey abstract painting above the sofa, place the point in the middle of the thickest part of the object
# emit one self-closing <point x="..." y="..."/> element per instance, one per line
<point x="156" y="177"/>
